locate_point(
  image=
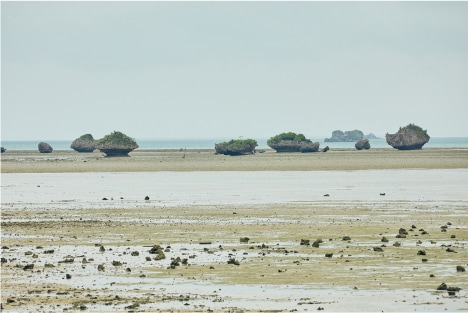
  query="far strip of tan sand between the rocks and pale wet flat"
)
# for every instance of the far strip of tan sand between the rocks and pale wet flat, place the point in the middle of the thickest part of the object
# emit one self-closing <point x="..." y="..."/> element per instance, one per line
<point x="206" y="160"/>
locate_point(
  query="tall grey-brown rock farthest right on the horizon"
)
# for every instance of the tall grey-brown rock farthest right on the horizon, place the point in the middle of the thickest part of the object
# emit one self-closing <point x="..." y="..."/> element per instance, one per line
<point x="411" y="137"/>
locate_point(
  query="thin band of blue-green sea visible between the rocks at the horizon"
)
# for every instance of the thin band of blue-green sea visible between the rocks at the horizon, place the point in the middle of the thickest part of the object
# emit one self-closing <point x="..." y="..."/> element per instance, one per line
<point x="441" y="142"/>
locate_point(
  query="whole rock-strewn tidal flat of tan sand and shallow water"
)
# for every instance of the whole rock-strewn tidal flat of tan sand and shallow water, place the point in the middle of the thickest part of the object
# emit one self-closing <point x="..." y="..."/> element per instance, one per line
<point x="188" y="230"/>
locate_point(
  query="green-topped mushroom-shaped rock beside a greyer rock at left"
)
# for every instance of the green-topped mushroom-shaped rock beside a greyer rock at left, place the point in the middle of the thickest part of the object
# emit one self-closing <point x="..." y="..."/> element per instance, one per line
<point x="116" y="144"/>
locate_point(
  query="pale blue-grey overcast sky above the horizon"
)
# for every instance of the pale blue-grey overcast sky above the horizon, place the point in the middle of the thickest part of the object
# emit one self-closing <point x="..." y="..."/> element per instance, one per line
<point x="232" y="69"/>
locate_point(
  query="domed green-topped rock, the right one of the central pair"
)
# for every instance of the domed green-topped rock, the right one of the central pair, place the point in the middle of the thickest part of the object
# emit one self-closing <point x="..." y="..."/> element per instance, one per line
<point x="291" y="142"/>
